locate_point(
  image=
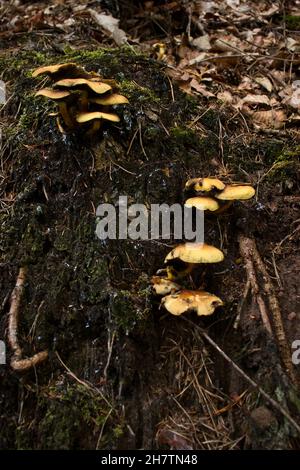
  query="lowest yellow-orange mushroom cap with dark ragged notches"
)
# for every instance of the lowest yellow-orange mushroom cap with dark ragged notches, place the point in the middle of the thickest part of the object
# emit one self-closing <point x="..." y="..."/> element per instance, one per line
<point x="202" y="302"/>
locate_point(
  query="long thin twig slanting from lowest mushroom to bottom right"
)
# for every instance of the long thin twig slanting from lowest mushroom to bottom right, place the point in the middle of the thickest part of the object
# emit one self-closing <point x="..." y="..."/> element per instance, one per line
<point x="255" y="385"/>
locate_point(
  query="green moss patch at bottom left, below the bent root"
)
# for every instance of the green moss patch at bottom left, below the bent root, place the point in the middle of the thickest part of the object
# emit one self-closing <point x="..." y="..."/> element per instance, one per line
<point x="69" y="414"/>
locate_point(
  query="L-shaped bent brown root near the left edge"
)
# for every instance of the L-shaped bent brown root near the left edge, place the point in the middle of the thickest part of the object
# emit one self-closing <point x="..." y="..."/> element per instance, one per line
<point x="17" y="363"/>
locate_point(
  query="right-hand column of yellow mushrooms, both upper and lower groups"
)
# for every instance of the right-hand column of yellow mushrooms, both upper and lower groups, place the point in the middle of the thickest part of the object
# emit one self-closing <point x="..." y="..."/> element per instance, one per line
<point x="213" y="195"/>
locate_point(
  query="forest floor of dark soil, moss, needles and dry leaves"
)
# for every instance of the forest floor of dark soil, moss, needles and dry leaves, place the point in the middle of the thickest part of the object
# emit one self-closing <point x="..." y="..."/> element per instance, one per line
<point x="213" y="89"/>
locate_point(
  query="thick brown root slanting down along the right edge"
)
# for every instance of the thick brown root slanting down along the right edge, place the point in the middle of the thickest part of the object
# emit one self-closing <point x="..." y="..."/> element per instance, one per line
<point x="269" y="309"/>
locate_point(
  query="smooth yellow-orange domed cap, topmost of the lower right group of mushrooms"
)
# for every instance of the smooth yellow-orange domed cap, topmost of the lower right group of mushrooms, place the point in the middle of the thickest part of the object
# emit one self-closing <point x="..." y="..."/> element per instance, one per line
<point x="196" y="253"/>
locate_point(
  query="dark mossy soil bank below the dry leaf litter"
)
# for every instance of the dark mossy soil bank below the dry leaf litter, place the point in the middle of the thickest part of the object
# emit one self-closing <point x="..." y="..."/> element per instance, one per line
<point x="122" y="373"/>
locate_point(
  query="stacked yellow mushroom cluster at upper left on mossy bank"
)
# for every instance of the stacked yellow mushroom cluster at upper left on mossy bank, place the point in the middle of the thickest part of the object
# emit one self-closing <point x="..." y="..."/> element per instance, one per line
<point x="83" y="98"/>
